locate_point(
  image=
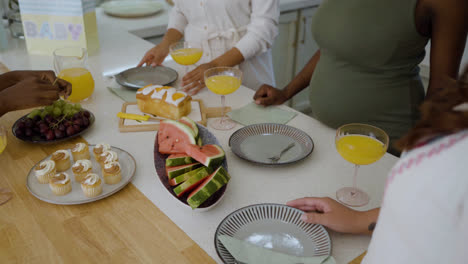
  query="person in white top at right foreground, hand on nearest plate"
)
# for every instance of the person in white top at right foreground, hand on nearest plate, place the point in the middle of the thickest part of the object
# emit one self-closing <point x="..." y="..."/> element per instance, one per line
<point x="424" y="213"/>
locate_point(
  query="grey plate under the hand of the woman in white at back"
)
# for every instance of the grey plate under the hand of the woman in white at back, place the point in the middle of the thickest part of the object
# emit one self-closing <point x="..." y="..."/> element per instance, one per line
<point x="138" y="77"/>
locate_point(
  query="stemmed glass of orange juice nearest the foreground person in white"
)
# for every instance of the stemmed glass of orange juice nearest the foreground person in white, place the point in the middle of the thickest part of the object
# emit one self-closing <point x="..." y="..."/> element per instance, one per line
<point x="359" y="144"/>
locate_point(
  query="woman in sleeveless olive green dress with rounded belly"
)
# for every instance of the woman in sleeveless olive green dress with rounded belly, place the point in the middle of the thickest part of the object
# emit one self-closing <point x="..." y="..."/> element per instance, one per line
<point x="367" y="67"/>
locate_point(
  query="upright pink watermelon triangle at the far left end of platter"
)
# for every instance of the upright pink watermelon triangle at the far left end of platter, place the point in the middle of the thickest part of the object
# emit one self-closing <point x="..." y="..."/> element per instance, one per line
<point x="173" y="137"/>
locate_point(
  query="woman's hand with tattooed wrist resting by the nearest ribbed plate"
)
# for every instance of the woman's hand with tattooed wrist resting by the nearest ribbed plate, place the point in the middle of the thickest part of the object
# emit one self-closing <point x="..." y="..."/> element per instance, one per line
<point x="328" y="212"/>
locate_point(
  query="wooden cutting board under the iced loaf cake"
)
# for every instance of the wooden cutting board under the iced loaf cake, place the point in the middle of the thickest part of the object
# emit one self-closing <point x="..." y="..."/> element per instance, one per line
<point x="199" y="114"/>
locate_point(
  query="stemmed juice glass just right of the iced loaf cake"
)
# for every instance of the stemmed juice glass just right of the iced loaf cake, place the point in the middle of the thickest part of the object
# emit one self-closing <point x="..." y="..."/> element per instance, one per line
<point x="223" y="80"/>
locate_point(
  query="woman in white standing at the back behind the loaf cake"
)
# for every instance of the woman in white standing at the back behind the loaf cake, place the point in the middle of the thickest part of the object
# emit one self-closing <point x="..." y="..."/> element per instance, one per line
<point x="231" y="32"/>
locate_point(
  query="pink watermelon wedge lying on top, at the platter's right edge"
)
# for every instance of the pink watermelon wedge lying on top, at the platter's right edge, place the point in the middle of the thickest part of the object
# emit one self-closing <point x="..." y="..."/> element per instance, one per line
<point x="208" y="155"/>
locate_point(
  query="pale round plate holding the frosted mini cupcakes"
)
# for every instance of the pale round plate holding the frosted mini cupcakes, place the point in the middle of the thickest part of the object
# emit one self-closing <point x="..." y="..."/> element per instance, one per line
<point x="76" y="196"/>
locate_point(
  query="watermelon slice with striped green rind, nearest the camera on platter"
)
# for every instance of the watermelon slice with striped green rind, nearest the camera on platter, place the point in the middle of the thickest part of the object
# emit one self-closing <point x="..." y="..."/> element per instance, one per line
<point x="208" y="187"/>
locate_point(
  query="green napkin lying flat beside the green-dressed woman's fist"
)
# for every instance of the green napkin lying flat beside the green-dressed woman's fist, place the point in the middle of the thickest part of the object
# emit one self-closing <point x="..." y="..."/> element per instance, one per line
<point x="254" y="114"/>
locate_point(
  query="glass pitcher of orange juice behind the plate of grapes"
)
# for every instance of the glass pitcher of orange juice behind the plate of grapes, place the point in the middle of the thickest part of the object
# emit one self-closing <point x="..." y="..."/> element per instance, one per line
<point x="71" y="65"/>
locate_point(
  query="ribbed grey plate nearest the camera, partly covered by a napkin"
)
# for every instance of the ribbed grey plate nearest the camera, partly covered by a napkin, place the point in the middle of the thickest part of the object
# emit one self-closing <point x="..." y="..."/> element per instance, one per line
<point x="276" y="227"/>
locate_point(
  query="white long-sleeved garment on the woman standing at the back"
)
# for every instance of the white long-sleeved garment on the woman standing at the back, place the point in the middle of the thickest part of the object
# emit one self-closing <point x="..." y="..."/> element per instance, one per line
<point x="219" y="25"/>
